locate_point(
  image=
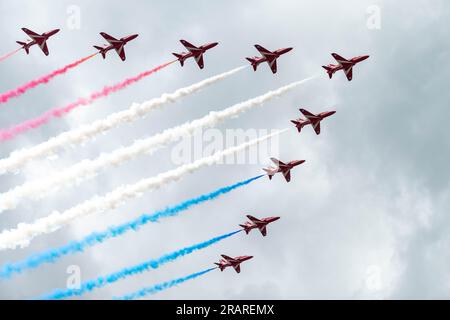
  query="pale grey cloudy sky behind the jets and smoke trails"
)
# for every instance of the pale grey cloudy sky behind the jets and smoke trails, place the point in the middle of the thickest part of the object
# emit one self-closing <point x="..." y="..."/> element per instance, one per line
<point x="365" y="217"/>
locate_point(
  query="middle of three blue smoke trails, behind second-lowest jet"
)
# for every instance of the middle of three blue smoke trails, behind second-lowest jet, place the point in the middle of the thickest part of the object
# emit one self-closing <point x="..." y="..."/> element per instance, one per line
<point x="89" y="286"/>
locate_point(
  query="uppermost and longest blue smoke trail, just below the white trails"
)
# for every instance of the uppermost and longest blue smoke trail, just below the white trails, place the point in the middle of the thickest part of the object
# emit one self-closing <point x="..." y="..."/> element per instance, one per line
<point x="95" y="238"/>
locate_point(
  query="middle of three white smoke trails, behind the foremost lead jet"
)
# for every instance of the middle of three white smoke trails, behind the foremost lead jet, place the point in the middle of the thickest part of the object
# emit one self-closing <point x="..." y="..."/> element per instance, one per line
<point x="89" y="168"/>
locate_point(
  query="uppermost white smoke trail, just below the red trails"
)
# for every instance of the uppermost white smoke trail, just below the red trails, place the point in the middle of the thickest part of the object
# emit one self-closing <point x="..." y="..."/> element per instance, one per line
<point x="77" y="136"/>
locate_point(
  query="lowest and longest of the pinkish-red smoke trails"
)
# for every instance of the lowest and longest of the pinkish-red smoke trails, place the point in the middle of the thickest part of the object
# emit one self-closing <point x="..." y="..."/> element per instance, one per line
<point x="34" y="123"/>
